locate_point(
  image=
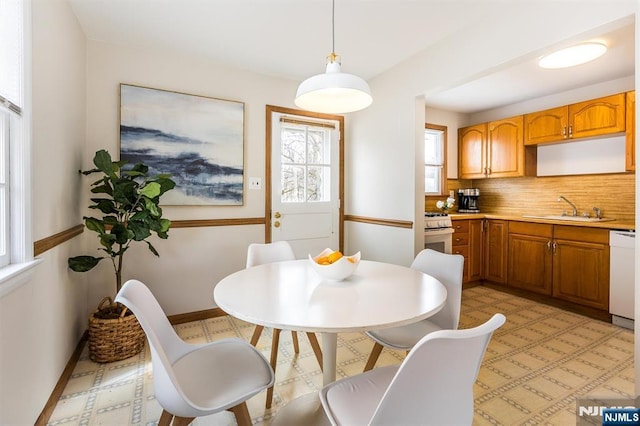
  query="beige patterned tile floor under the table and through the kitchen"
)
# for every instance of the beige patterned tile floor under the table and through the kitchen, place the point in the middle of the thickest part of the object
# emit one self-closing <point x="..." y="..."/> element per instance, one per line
<point x="536" y="366"/>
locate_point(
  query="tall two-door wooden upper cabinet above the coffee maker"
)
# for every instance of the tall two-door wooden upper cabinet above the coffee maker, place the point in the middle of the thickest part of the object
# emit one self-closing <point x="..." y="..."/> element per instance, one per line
<point x="495" y="149"/>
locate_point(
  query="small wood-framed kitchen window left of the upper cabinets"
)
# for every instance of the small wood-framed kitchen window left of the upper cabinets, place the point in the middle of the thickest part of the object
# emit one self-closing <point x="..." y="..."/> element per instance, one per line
<point x="435" y="154"/>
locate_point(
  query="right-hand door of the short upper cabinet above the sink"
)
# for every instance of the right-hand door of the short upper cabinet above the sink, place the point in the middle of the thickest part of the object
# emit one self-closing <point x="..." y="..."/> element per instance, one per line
<point x="597" y="116"/>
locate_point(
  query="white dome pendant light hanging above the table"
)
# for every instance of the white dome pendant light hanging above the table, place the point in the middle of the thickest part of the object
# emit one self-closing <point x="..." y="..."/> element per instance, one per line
<point x="333" y="92"/>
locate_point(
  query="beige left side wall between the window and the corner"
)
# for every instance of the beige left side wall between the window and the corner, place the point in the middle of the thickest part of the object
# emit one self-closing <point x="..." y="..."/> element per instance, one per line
<point x="42" y="321"/>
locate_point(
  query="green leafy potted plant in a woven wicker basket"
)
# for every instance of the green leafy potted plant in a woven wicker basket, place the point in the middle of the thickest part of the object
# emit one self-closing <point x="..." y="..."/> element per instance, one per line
<point x="128" y="202"/>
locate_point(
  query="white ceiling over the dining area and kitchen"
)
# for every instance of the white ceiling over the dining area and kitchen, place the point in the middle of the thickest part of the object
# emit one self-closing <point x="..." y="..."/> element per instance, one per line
<point x="291" y="38"/>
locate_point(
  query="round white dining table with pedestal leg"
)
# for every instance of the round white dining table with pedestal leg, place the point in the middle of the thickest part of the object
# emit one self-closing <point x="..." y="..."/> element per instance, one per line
<point x="291" y="295"/>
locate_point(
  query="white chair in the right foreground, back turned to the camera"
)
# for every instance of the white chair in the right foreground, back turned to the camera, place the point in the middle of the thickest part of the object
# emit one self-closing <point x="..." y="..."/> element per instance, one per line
<point x="432" y="386"/>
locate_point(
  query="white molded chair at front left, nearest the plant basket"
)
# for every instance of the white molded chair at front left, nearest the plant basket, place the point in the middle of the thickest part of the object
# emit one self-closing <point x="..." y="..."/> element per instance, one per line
<point x="194" y="380"/>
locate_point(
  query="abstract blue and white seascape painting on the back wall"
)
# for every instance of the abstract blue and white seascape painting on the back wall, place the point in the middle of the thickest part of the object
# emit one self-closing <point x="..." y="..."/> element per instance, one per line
<point x="198" y="140"/>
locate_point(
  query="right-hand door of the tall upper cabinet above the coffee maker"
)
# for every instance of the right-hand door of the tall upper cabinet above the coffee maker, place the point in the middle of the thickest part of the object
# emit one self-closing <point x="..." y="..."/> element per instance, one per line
<point x="505" y="148"/>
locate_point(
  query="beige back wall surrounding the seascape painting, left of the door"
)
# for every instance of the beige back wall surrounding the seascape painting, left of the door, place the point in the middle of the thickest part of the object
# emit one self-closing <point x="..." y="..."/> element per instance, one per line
<point x="192" y="260"/>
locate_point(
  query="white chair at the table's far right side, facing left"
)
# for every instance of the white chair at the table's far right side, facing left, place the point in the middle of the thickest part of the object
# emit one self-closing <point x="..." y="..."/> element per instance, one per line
<point x="446" y="268"/>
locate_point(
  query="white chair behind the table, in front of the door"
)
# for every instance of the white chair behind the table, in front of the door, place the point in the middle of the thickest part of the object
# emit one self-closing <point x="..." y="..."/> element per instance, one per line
<point x="259" y="254"/>
